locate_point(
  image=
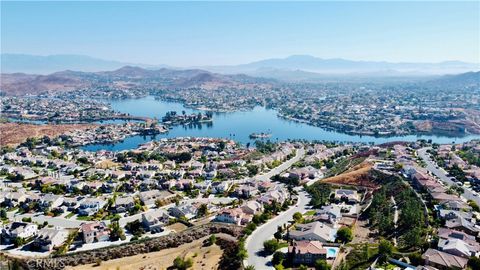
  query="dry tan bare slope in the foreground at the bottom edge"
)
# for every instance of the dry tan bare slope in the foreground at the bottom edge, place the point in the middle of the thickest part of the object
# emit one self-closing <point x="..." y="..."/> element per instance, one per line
<point x="203" y="258"/>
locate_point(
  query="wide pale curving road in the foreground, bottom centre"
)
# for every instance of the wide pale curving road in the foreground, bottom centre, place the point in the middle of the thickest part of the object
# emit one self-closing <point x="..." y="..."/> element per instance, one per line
<point x="254" y="243"/>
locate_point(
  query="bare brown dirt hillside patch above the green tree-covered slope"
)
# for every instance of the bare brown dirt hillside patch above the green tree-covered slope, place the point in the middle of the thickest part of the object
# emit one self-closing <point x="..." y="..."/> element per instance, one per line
<point x="358" y="175"/>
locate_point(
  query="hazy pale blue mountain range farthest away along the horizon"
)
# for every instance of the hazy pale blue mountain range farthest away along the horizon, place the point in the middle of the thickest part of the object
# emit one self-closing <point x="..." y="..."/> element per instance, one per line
<point x="292" y="68"/>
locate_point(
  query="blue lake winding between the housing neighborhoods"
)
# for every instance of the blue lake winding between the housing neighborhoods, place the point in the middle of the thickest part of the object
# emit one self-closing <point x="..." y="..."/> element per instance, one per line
<point x="239" y="125"/>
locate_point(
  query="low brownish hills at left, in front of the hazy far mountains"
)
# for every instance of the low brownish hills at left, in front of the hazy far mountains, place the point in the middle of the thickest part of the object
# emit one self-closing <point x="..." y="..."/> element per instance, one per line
<point x="124" y="77"/>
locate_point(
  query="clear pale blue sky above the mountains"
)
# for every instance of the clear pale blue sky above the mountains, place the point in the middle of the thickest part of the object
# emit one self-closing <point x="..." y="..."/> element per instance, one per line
<point x="213" y="33"/>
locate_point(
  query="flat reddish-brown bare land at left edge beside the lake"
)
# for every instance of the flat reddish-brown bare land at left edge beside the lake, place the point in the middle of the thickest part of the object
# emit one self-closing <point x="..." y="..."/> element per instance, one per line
<point x="16" y="133"/>
